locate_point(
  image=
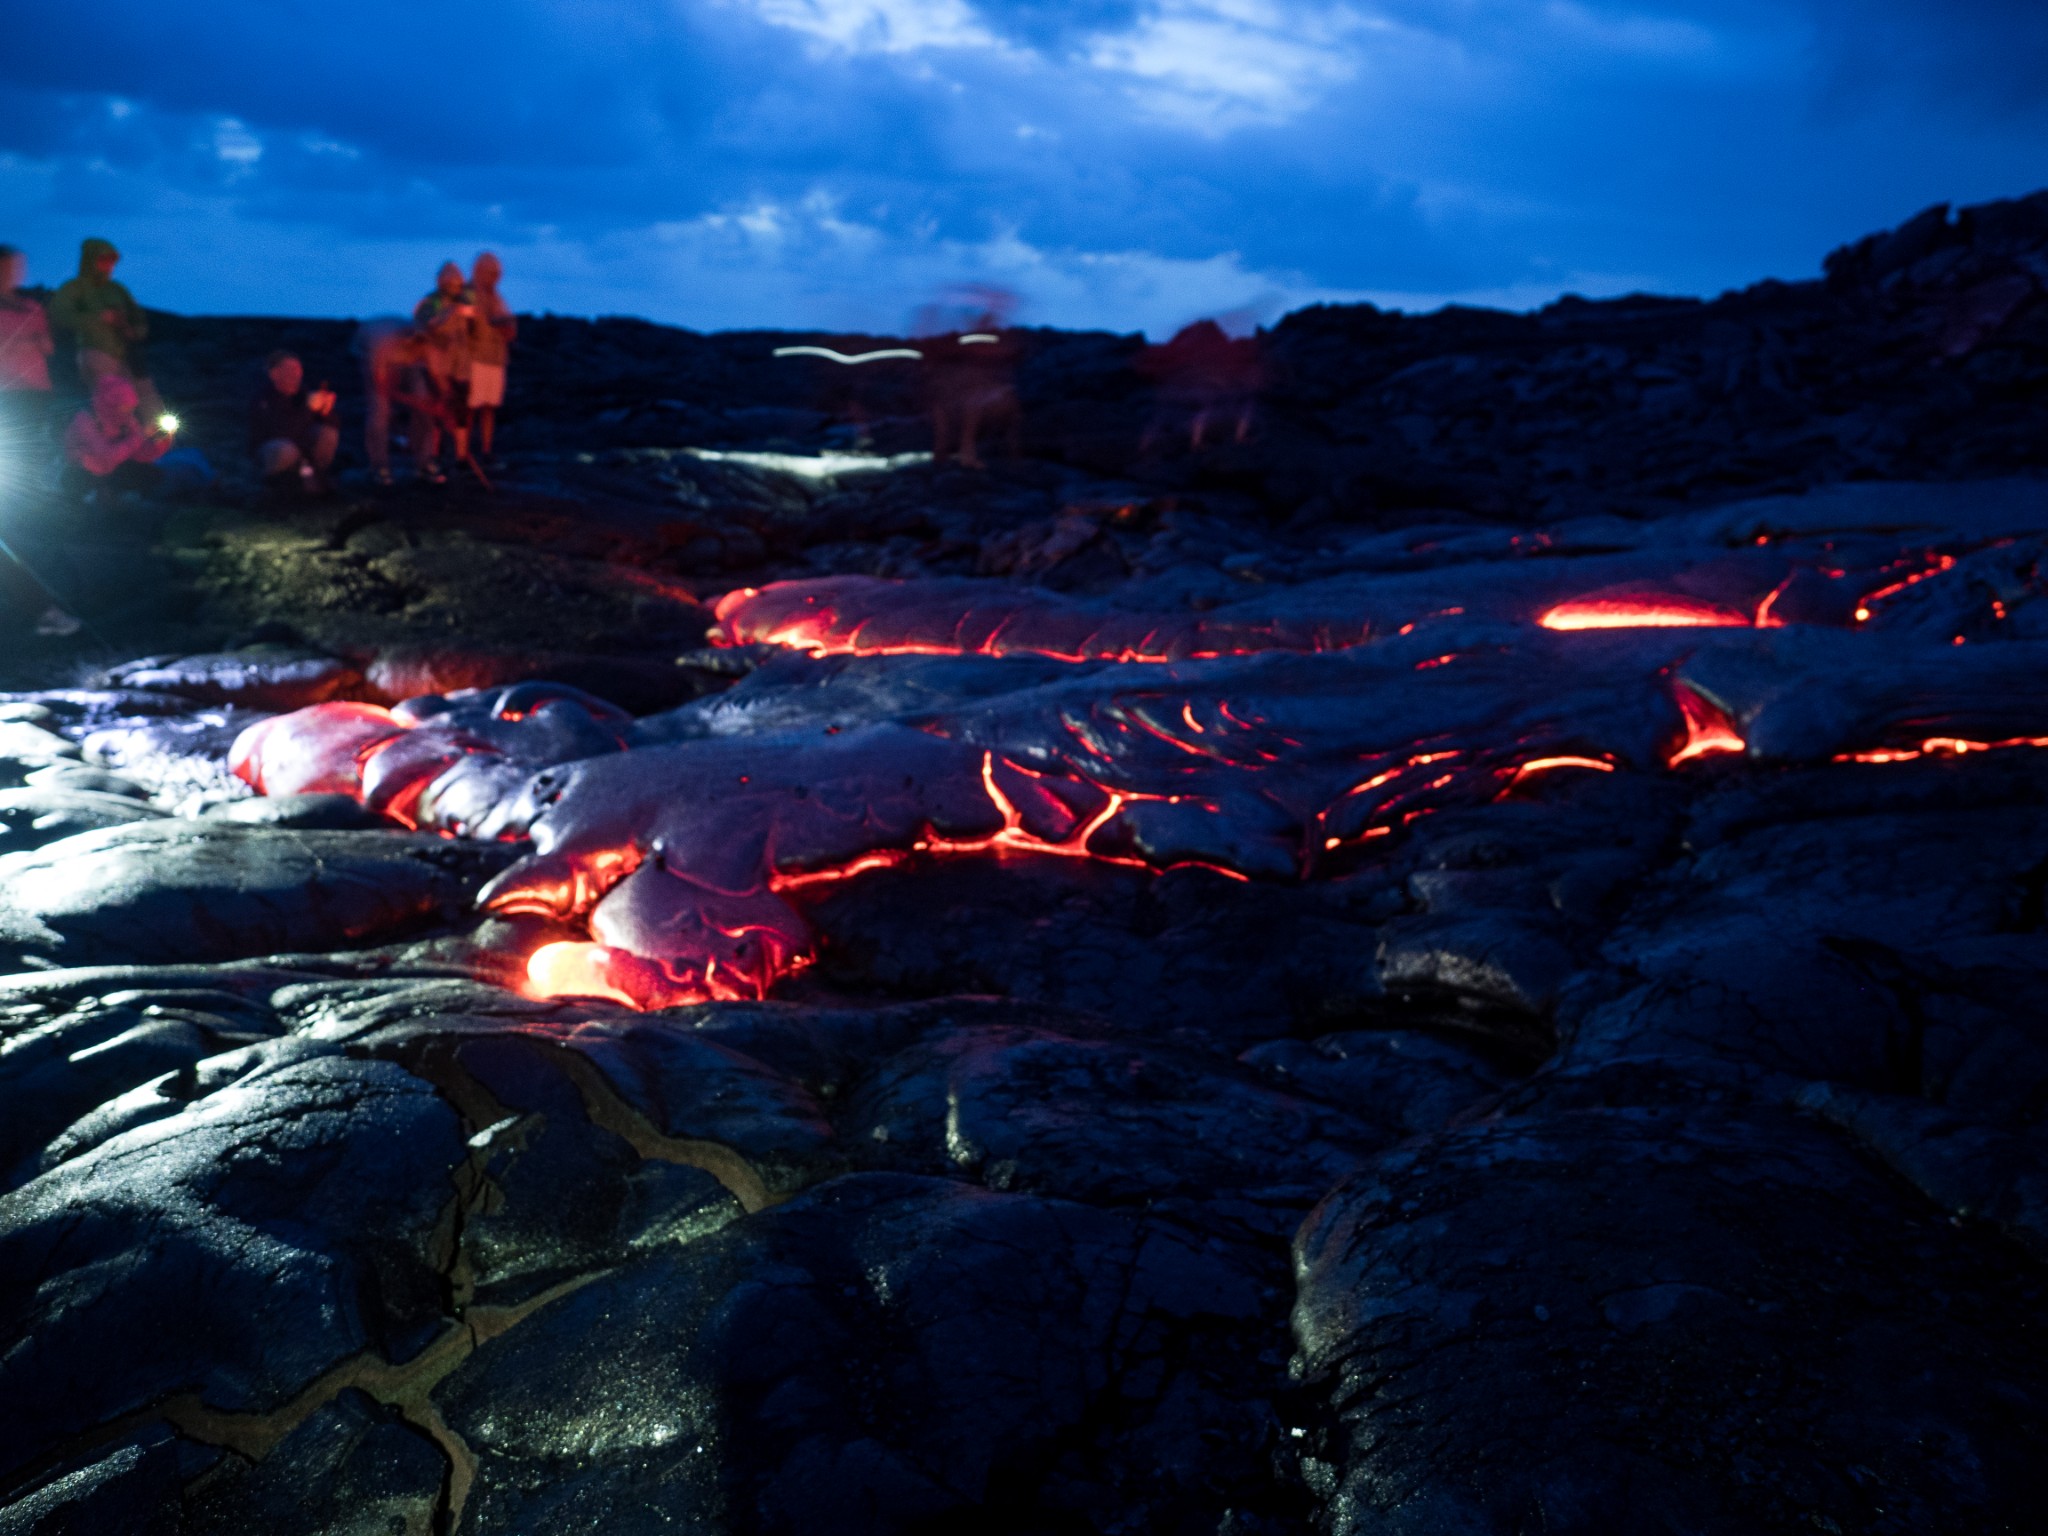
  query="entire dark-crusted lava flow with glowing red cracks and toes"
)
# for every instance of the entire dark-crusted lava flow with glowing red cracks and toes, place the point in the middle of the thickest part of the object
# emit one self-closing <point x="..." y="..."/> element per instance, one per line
<point x="687" y="859"/>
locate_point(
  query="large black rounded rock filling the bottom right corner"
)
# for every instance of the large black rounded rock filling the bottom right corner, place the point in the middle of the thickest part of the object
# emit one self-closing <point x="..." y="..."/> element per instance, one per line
<point x="1670" y="1320"/>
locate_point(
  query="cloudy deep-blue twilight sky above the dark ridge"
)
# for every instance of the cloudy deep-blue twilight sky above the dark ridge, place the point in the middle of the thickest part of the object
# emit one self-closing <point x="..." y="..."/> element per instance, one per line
<point x="1113" y="163"/>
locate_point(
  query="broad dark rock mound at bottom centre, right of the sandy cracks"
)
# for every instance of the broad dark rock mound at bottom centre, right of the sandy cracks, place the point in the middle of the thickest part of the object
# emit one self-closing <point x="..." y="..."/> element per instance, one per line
<point x="880" y="1355"/>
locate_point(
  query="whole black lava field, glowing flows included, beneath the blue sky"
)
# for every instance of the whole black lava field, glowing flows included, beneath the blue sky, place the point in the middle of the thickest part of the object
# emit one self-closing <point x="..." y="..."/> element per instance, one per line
<point x="1465" y="964"/>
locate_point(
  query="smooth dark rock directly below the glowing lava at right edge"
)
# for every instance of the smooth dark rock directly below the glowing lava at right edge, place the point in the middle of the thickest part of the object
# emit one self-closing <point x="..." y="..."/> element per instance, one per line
<point x="1789" y="943"/>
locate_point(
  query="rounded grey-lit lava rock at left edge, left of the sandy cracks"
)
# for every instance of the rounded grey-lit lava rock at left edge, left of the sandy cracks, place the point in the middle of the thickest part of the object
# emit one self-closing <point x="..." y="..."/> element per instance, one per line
<point x="228" y="1256"/>
